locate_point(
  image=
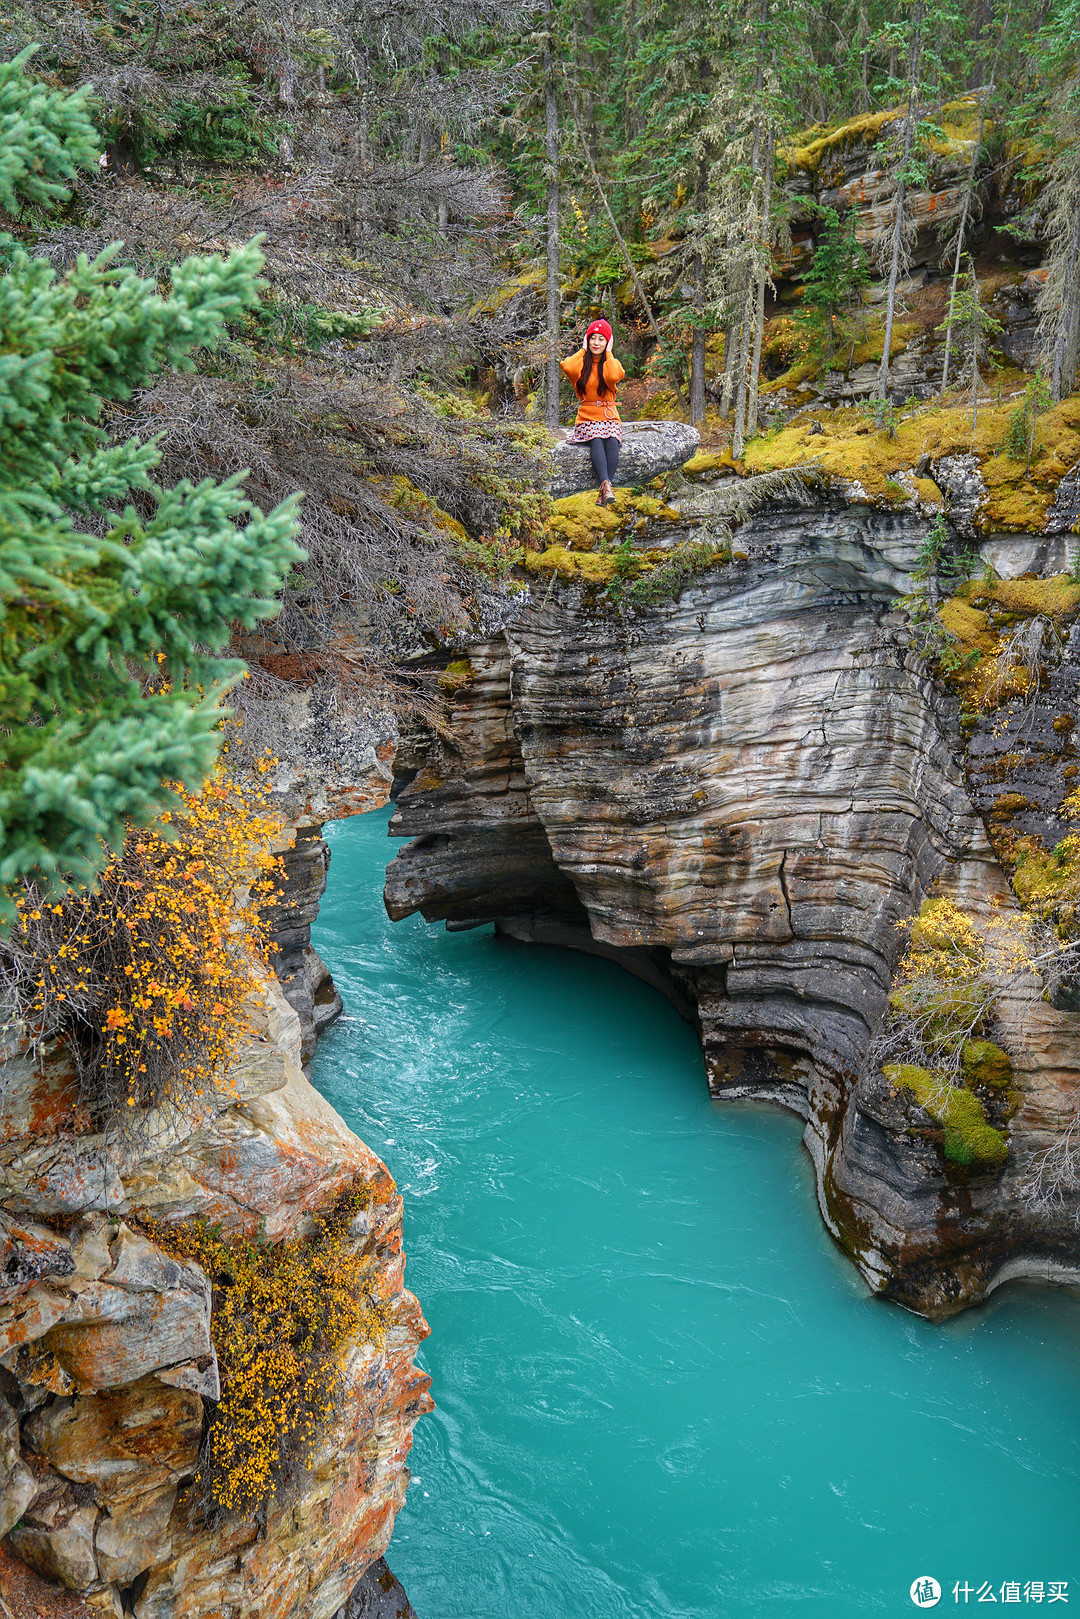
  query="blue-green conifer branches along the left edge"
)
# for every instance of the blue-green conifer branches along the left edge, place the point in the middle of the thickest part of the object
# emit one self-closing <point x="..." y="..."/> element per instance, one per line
<point x="90" y="623"/>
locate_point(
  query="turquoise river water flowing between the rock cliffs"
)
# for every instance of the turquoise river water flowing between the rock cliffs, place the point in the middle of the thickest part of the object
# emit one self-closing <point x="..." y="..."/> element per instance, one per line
<point x="661" y="1390"/>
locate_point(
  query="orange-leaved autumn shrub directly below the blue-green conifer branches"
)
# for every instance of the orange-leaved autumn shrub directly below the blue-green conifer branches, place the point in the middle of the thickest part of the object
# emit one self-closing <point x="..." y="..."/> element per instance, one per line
<point x="148" y="974"/>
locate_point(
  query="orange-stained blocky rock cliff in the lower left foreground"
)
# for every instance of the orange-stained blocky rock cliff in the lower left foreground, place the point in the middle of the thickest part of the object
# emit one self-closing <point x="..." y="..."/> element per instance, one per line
<point x="108" y="1359"/>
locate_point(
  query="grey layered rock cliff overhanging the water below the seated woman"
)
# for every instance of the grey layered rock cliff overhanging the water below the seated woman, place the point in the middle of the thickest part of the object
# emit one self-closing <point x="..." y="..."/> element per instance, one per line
<point x="741" y="794"/>
